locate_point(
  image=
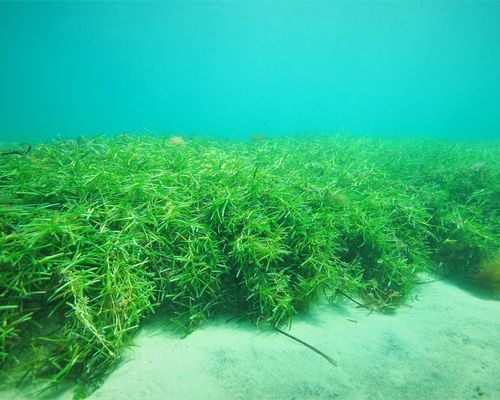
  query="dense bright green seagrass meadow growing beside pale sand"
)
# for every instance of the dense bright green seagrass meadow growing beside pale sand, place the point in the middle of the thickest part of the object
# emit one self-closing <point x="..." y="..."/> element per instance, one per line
<point x="96" y="234"/>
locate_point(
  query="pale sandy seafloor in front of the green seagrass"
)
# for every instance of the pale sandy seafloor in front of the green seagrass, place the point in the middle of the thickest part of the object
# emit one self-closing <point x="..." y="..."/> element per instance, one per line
<point x="444" y="344"/>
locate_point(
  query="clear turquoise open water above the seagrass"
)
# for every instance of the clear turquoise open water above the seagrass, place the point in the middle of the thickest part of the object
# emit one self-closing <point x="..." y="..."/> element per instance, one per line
<point x="236" y="68"/>
